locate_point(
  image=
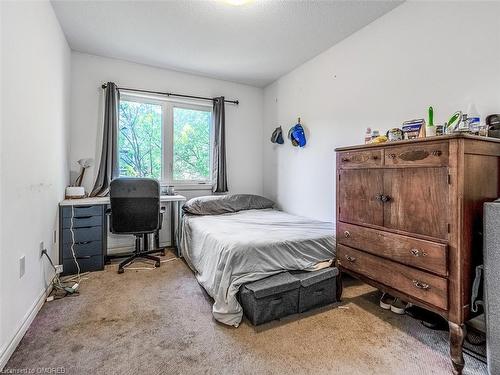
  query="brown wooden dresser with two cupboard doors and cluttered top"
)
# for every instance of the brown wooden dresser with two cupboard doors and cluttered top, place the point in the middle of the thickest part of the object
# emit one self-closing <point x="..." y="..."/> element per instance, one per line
<point x="409" y="220"/>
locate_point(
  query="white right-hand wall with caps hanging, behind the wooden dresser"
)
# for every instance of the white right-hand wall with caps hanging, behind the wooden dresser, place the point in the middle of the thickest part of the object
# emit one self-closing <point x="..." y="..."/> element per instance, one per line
<point x="442" y="54"/>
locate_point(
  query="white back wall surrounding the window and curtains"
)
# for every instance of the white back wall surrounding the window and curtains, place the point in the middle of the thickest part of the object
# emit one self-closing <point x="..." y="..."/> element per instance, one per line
<point x="243" y="122"/>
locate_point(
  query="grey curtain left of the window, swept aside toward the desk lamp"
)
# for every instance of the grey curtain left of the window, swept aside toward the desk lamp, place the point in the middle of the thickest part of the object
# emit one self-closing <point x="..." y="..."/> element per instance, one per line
<point x="108" y="165"/>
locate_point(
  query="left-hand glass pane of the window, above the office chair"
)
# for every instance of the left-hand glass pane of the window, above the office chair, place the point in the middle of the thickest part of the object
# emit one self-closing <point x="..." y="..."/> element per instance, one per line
<point x="139" y="139"/>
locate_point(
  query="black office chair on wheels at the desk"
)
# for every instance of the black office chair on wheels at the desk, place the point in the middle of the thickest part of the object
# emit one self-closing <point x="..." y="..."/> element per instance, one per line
<point x="135" y="209"/>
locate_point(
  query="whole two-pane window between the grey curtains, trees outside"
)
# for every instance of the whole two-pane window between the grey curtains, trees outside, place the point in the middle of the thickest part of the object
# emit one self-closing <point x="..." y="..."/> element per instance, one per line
<point x="166" y="140"/>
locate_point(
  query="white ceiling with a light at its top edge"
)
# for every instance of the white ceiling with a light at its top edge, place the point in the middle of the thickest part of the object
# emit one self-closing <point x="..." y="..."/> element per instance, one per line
<point x="254" y="43"/>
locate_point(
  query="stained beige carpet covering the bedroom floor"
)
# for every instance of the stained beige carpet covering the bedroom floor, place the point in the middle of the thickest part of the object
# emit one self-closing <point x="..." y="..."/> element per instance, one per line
<point x="160" y="322"/>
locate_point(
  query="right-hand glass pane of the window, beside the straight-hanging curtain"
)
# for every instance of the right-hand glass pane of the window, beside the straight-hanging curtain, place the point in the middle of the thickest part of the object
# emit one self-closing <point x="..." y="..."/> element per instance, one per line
<point x="191" y="144"/>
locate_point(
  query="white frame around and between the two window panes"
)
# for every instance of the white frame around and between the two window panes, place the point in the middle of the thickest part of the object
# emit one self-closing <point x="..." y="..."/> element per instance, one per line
<point x="167" y="141"/>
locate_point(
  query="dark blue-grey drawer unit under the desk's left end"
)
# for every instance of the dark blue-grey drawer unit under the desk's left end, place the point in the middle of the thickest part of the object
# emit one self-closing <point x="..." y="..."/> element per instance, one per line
<point x="90" y="237"/>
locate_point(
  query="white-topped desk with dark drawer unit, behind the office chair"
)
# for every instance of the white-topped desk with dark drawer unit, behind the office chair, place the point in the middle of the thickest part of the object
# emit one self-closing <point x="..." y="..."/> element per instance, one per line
<point x="90" y="227"/>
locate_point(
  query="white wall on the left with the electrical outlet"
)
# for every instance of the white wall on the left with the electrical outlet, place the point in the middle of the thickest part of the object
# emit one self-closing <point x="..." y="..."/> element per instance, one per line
<point x="34" y="170"/>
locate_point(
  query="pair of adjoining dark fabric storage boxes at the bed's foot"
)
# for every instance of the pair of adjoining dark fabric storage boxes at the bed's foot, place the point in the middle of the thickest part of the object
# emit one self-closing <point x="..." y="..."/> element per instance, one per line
<point x="288" y="293"/>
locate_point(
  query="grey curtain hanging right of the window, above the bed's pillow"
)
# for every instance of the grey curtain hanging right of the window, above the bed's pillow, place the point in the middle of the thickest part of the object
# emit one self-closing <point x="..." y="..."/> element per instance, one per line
<point x="219" y="170"/>
